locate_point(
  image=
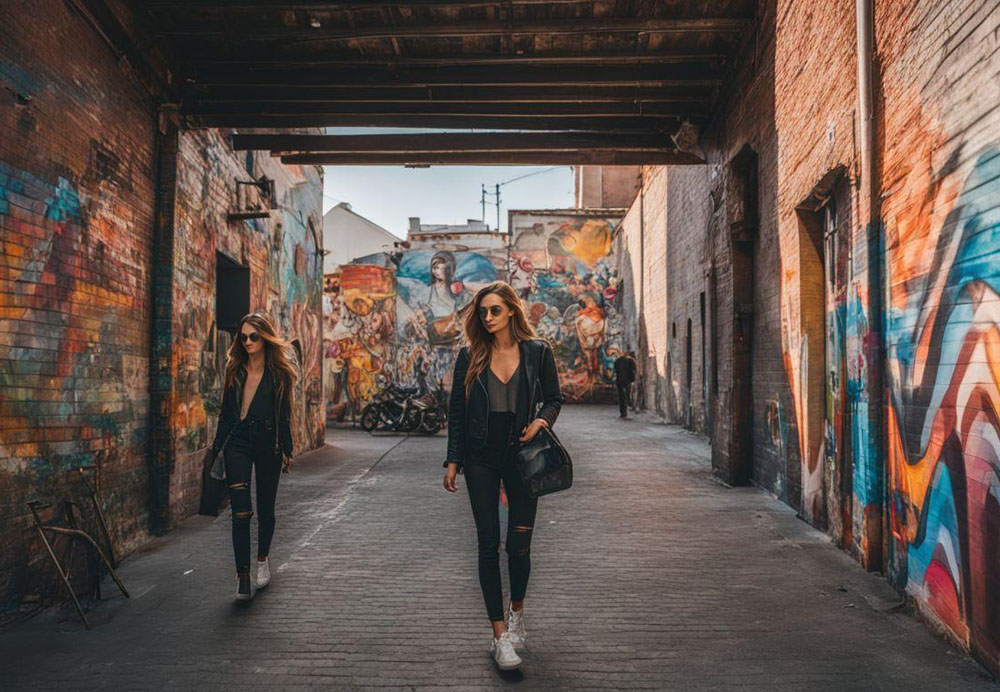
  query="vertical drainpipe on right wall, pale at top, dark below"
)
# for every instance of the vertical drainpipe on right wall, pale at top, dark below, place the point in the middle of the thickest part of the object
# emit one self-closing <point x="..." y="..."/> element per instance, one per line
<point x="873" y="524"/>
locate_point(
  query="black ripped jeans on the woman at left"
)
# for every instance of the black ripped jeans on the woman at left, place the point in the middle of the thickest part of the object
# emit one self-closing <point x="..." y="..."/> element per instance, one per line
<point x="252" y="446"/>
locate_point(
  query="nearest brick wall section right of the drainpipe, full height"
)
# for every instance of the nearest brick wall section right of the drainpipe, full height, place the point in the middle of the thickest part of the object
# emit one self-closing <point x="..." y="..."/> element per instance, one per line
<point x="939" y="151"/>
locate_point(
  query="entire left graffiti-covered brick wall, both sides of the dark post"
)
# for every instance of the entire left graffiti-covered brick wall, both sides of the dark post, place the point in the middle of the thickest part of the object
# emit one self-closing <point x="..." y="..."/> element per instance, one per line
<point x="108" y="349"/>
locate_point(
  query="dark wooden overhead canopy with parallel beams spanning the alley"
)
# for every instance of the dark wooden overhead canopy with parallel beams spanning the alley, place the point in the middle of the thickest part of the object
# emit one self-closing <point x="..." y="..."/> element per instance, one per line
<point x="611" y="67"/>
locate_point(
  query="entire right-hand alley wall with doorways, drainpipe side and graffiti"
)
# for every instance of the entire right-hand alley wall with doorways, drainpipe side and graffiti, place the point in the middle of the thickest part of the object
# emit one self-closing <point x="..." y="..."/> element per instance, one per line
<point x="802" y="298"/>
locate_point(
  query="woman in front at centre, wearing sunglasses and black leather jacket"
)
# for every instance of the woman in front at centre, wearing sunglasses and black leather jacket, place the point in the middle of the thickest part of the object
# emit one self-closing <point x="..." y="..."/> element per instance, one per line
<point x="501" y="377"/>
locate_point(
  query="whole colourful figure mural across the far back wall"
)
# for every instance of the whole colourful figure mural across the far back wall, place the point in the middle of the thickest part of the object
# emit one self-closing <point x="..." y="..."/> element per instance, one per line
<point x="401" y="320"/>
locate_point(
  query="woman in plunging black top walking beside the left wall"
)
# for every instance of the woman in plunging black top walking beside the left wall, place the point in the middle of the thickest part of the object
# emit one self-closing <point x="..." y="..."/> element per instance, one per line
<point x="254" y="432"/>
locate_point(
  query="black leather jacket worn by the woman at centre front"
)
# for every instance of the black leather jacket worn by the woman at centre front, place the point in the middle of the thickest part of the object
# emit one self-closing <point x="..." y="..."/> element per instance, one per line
<point x="538" y="397"/>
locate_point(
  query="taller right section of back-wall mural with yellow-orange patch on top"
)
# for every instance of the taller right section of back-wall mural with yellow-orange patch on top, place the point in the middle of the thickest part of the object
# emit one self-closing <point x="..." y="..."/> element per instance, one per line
<point x="563" y="266"/>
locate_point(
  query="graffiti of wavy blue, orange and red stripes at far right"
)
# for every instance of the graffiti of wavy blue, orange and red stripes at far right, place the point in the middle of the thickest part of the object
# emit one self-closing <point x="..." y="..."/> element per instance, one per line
<point x="943" y="341"/>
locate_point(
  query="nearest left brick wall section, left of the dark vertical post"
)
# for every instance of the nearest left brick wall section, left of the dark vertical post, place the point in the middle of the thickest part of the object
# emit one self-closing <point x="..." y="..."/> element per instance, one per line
<point x="76" y="220"/>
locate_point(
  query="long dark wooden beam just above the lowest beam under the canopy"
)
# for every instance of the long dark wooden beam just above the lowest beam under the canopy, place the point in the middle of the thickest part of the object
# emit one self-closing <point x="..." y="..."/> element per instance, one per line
<point x="437" y="142"/>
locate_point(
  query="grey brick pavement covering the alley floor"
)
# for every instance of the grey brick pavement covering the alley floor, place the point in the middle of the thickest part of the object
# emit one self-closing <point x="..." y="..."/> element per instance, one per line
<point x="647" y="575"/>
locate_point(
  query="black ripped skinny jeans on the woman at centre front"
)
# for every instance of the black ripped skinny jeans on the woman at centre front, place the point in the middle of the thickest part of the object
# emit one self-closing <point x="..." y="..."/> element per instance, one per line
<point x="483" y="473"/>
